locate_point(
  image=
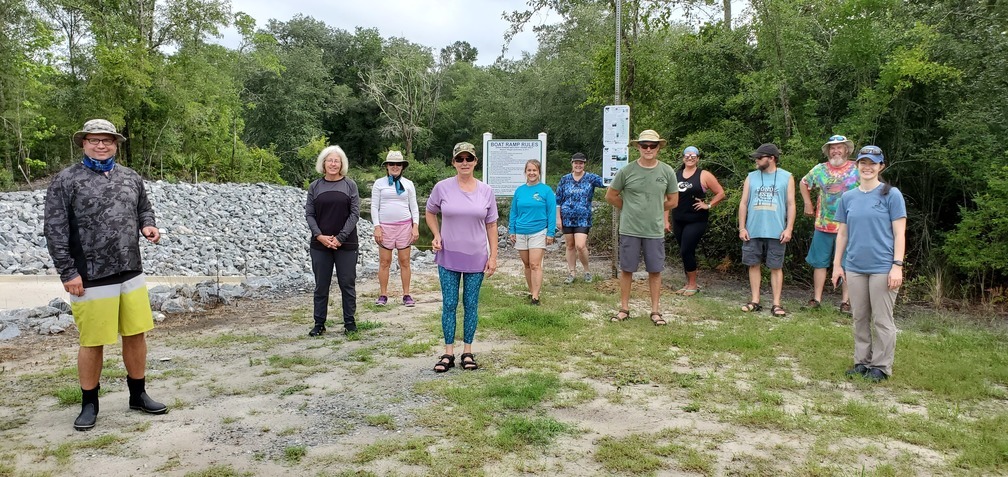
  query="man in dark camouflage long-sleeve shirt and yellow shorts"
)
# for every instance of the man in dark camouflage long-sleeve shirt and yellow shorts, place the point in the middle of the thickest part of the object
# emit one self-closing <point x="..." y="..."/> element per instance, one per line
<point x="95" y="212"/>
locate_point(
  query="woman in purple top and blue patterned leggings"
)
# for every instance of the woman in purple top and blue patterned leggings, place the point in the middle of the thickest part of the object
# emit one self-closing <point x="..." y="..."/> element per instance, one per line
<point x="466" y="249"/>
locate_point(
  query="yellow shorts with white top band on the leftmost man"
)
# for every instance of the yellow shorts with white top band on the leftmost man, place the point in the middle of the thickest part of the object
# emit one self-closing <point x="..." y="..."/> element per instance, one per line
<point x="106" y="312"/>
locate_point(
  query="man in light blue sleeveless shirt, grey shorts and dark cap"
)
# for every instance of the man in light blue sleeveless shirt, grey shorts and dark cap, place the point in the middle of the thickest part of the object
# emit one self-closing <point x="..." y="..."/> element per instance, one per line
<point x="767" y="218"/>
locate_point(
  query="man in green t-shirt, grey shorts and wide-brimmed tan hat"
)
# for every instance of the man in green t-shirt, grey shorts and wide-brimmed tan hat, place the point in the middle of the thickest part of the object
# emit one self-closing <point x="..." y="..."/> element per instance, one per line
<point x="637" y="191"/>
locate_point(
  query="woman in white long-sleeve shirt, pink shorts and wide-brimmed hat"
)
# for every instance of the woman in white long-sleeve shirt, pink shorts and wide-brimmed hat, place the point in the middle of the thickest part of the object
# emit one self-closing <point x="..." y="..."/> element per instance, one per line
<point x="397" y="219"/>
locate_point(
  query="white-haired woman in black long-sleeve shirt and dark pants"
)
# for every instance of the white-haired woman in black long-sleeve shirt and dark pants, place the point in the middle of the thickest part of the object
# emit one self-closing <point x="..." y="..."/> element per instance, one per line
<point x="332" y="210"/>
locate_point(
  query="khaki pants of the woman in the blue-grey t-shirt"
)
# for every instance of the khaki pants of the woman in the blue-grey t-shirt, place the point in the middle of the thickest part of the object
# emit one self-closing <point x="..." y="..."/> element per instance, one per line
<point x="871" y="305"/>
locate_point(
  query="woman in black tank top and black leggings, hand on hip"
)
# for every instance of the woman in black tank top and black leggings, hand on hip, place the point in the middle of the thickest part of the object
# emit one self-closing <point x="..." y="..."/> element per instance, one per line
<point x="693" y="212"/>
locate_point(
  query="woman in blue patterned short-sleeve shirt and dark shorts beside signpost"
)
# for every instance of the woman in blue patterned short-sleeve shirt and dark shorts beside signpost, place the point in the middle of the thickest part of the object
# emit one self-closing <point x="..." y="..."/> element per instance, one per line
<point x="574" y="210"/>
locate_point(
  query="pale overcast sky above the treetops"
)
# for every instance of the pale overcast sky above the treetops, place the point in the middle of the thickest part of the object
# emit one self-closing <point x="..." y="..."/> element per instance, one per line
<point x="435" y="24"/>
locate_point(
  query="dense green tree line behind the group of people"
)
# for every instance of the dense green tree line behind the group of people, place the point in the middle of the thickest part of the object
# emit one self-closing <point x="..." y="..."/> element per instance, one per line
<point x="924" y="80"/>
